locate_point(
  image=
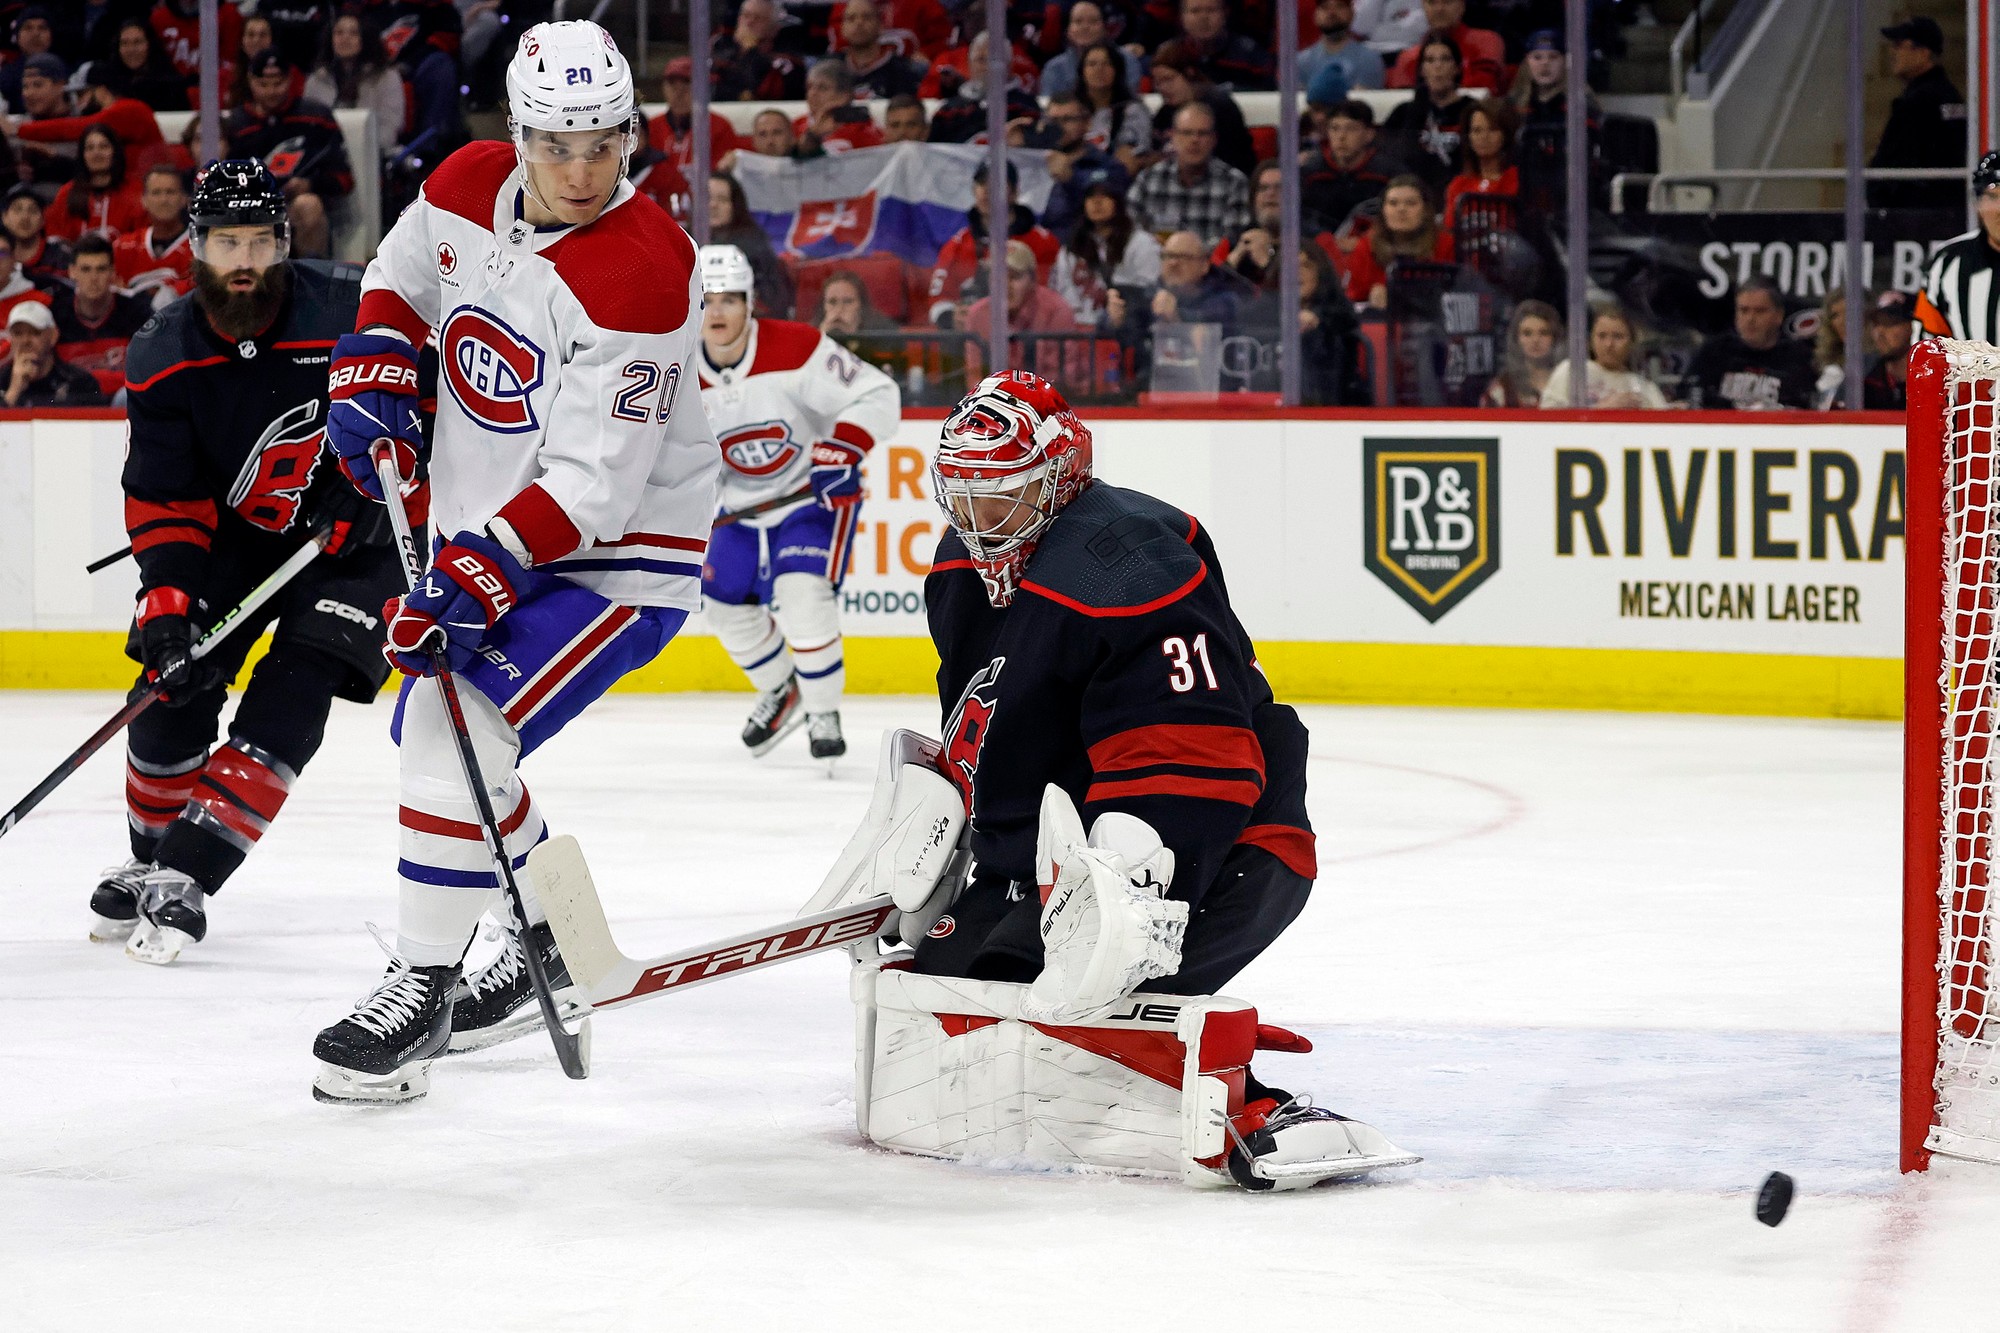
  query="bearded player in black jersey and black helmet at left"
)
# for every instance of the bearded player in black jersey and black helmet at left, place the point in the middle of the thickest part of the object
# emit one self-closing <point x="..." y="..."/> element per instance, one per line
<point x="225" y="477"/>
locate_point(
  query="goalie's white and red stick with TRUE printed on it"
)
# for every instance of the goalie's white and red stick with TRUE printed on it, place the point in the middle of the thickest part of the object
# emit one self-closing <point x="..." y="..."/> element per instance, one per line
<point x="609" y="978"/>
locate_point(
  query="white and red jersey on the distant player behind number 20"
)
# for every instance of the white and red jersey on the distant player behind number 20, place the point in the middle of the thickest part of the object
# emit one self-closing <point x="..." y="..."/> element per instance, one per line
<point x="791" y="389"/>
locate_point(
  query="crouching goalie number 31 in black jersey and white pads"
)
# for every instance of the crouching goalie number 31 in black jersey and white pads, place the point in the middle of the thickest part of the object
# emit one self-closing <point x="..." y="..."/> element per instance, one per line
<point x="1137" y="838"/>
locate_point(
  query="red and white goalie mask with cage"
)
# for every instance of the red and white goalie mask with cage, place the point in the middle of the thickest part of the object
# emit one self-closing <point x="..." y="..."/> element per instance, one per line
<point x="1011" y="457"/>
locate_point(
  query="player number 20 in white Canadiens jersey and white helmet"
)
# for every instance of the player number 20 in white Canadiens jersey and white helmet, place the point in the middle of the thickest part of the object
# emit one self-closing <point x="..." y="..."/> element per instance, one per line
<point x="573" y="487"/>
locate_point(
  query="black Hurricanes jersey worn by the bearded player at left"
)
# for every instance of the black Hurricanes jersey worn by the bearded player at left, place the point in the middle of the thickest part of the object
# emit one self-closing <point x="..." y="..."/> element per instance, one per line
<point x="227" y="439"/>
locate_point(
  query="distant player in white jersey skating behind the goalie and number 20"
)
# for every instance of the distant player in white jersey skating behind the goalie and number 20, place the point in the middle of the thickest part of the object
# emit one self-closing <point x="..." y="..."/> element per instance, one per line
<point x="795" y="415"/>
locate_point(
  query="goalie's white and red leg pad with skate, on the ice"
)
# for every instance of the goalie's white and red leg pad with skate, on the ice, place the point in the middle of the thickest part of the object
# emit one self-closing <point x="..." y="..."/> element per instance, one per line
<point x="949" y="1068"/>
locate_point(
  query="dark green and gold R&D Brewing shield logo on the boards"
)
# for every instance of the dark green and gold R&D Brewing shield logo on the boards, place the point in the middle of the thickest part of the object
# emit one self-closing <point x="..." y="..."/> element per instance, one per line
<point x="1433" y="523"/>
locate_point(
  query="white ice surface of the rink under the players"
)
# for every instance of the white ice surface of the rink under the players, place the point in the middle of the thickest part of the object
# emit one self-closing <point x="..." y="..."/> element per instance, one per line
<point x="1603" y="972"/>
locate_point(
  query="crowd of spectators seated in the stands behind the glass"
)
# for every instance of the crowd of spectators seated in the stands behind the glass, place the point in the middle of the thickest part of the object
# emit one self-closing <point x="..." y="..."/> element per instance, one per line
<point x="1163" y="213"/>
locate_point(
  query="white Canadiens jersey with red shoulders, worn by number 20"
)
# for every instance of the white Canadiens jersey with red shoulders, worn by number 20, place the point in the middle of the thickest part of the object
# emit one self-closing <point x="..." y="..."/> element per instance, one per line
<point x="563" y="365"/>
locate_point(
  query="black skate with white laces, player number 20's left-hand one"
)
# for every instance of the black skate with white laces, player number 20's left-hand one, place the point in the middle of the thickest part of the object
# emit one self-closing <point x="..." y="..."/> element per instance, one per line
<point x="383" y="1052"/>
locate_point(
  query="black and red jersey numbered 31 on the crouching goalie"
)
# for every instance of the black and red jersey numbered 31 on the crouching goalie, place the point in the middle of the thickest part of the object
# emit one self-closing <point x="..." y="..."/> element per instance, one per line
<point x="1123" y="676"/>
